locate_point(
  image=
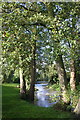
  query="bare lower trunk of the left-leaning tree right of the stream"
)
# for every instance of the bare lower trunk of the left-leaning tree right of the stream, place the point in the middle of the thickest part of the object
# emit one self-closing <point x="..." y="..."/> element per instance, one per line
<point x="62" y="78"/>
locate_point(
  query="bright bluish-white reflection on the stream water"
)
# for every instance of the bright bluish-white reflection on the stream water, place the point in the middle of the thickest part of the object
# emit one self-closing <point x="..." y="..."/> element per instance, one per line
<point x="43" y="95"/>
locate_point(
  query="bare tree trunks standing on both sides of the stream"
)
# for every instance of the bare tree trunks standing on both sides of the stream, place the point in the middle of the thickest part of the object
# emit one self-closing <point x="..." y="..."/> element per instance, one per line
<point x="61" y="74"/>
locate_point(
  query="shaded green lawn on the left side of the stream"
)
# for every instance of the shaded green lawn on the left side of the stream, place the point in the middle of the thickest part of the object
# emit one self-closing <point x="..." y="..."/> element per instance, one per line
<point x="14" y="107"/>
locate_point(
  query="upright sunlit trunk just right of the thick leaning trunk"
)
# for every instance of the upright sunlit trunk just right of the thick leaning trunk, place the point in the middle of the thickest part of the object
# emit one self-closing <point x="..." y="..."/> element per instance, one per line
<point x="72" y="76"/>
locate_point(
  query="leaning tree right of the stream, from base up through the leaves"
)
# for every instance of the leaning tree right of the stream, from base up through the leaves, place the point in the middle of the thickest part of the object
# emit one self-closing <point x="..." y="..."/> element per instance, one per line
<point x="59" y="60"/>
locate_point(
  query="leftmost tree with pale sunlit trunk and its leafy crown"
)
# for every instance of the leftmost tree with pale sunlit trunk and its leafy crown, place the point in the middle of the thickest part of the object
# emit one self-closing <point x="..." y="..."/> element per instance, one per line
<point x="16" y="44"/>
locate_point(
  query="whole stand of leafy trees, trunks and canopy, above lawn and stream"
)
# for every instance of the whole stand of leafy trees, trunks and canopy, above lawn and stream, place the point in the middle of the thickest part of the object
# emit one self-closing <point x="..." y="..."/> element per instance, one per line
<point x="41" y="42"/>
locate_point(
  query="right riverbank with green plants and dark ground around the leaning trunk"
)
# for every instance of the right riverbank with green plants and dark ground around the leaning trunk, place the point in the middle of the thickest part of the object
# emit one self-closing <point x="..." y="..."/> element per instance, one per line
<point x="73" y="97"/>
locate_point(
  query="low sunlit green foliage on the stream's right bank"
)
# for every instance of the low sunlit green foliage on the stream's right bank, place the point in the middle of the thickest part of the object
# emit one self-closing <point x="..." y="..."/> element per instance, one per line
<point x="72" y="96"/>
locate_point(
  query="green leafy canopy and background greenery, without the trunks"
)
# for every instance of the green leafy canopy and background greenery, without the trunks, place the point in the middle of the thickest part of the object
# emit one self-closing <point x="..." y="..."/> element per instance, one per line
<point x="53" y="26"/>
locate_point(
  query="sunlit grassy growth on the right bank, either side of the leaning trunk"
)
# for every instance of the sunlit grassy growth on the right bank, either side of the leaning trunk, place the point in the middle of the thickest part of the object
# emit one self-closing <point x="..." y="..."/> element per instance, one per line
<point x="73" y="96"/>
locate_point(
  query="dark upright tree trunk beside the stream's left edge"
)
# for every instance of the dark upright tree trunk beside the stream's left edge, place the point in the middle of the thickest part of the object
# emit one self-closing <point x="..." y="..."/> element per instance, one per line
<point x="33" y="68"/>
